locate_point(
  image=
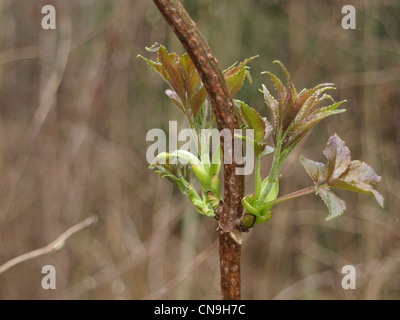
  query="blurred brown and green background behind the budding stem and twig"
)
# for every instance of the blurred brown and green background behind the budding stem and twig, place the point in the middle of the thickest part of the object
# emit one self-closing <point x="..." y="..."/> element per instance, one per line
<point x="75" y="107"/>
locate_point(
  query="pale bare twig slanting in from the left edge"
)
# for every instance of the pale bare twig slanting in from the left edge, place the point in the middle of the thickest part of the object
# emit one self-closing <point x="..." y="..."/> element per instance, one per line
<point x="51" y="247"/>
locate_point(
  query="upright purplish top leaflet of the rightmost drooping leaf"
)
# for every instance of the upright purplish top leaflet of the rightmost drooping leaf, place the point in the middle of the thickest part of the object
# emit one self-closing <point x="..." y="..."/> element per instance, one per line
<point x="338" y="156"/>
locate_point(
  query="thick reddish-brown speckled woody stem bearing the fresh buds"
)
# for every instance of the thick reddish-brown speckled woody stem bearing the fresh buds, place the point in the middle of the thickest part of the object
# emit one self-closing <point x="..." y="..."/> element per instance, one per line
<point x="223" y="108"/>
